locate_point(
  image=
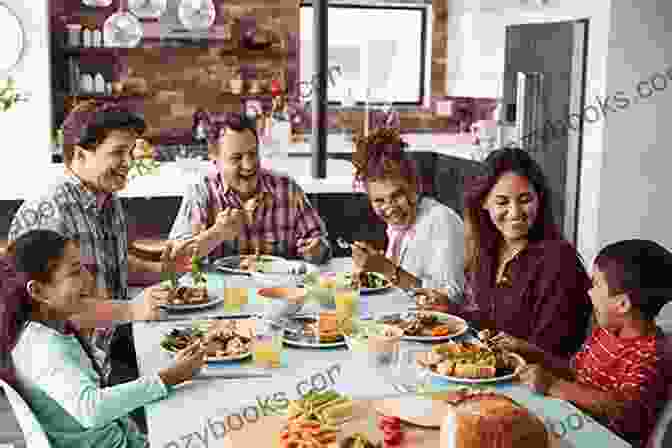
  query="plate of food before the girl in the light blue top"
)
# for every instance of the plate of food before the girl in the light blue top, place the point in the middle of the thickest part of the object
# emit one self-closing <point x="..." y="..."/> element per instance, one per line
<point x="226" y="340"/>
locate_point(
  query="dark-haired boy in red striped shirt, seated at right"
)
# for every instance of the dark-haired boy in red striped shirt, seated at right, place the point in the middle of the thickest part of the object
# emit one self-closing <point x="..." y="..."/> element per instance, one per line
<point x="621" y="373"/>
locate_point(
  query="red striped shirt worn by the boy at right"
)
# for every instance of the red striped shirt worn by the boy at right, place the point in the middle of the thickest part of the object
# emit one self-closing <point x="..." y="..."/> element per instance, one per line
<point x="629" y="367"/>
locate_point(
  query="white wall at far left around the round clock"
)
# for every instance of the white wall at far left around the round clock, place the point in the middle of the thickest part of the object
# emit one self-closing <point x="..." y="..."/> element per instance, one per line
<point x="26" y="128"/>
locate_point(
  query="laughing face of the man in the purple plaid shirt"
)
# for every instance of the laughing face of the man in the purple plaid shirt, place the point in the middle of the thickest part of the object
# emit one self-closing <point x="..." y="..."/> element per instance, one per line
<point x="238" y="161"/>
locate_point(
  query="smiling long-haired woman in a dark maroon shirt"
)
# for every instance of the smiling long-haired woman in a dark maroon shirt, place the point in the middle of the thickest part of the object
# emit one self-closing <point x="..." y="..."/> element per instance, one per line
<point x="522" y="277"/>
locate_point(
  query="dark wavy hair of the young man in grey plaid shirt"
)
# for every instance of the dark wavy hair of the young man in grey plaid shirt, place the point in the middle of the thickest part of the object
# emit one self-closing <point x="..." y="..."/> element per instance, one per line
<point x="90" y="122"/>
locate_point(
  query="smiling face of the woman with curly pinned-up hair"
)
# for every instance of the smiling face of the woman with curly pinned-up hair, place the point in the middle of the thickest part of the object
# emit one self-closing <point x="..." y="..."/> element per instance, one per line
<point x="392" y="200"/>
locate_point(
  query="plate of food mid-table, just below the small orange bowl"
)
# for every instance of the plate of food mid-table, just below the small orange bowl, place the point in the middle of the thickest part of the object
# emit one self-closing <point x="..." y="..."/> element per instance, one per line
<point x="301" y="331"/>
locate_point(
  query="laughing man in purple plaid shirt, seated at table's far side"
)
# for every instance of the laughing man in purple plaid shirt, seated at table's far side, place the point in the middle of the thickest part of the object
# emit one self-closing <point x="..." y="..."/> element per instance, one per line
<point x="240" y="208"/>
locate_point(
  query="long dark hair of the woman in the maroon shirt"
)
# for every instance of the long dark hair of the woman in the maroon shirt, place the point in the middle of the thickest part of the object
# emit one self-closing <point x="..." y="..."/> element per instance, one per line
<point x="481" y="236"/>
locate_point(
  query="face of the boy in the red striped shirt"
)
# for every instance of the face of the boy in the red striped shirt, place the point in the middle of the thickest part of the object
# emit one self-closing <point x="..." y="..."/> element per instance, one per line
<point x="609" y="309"/>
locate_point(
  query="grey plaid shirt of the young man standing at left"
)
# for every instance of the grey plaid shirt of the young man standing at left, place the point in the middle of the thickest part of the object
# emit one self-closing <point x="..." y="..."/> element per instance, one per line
<point x="73" y="211"/>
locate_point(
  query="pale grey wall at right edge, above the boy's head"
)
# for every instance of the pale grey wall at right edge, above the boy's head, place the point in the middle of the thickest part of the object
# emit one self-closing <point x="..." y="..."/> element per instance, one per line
<point x="636" y="179"/>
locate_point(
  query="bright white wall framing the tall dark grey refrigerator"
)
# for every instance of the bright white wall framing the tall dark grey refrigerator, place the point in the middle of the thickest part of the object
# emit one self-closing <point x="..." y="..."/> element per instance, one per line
<point x="476" y="63"/>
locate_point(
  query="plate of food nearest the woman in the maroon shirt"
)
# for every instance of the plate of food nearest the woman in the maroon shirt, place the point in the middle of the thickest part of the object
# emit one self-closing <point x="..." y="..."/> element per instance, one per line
<point x="426" y="326"/>
